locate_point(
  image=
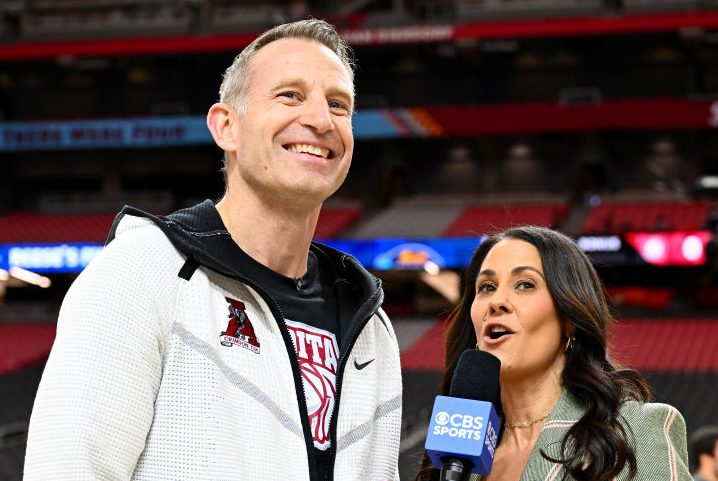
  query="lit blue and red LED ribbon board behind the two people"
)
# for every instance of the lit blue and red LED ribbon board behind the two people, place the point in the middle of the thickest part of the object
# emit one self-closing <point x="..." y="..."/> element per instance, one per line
<point x="678" y="248"/>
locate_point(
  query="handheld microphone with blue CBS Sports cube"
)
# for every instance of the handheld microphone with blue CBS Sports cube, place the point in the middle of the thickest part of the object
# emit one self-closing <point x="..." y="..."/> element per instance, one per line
<point x="464" y="426"/>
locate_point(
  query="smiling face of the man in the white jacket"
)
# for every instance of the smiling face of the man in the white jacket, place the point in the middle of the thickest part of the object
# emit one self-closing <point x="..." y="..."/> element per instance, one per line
<point x="295" y="142"/>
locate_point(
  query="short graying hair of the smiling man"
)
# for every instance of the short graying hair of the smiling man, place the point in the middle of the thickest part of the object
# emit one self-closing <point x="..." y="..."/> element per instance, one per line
<point x="233" y="90"/>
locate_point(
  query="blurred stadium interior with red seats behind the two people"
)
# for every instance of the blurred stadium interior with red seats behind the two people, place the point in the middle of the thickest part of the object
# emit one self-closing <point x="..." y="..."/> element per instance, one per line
<point x="596" y="117"/>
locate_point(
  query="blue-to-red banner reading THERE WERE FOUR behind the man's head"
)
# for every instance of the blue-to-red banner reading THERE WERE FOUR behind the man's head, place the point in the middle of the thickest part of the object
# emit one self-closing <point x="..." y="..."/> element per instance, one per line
<point x="433" y="121"/>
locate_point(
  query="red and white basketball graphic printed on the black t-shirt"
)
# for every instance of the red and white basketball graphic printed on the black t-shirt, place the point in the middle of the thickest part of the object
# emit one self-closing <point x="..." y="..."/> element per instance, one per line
<point x="317" y="351"/>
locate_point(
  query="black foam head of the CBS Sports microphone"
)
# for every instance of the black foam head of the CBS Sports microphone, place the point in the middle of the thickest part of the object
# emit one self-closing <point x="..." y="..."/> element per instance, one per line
<point x="476" y="376"/>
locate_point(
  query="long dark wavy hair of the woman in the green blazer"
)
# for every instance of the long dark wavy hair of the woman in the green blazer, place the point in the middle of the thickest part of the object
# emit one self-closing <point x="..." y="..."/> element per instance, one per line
<point x="597" y="446"/>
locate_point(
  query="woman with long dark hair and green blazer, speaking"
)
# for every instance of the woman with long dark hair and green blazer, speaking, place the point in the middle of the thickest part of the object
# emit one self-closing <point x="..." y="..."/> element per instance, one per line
<point x="532" y="298"/>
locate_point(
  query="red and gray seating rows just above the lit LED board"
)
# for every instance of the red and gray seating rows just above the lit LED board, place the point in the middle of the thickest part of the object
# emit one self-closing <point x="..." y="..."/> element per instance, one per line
<point x="404" y="219"/>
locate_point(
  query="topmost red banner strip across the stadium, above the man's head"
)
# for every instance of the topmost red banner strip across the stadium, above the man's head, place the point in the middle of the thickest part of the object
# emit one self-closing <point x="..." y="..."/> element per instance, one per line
<point x="361" y="34"/>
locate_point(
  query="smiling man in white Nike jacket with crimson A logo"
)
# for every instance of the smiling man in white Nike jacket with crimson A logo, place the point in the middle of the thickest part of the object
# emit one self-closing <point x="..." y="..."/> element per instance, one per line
<point x="239" y="348"/>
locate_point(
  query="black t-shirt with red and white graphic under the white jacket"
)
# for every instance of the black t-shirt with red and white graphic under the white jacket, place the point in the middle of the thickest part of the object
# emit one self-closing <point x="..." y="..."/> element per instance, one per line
<point x="310" y="310"/>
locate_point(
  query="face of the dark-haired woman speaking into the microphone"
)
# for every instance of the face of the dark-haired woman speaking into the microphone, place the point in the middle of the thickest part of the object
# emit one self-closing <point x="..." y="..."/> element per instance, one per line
<point x="513" y="313"/>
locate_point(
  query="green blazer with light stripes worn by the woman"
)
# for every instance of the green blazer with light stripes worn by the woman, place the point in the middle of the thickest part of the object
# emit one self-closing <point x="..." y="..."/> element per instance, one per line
<point x="658" y="430"/>
